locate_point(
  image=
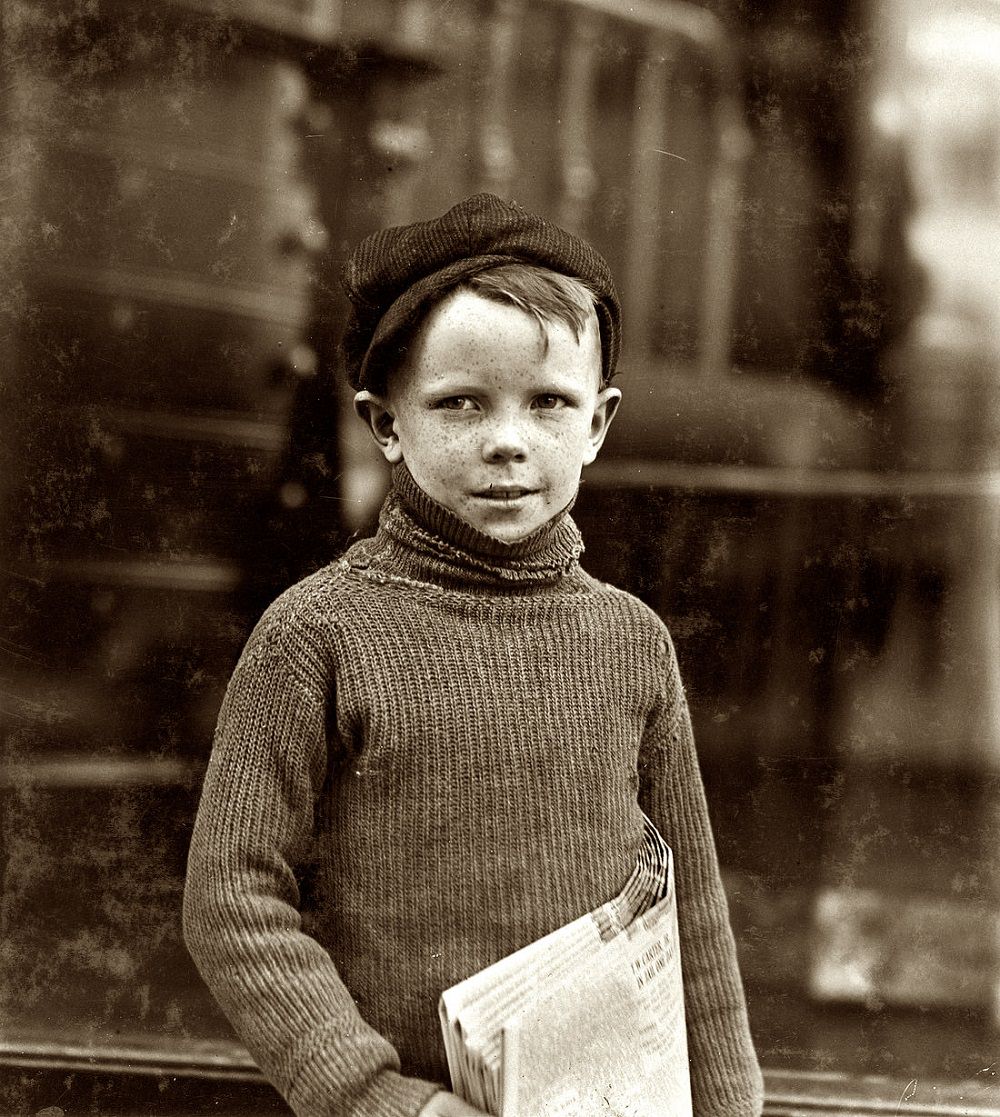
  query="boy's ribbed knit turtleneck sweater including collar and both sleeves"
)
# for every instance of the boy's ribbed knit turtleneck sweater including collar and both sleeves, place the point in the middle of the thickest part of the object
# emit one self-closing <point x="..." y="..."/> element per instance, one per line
<point x="432" y="753"/>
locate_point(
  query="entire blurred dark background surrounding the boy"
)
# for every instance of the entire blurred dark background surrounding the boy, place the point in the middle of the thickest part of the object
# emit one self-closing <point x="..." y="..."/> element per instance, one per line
<point x="802" y="202"/>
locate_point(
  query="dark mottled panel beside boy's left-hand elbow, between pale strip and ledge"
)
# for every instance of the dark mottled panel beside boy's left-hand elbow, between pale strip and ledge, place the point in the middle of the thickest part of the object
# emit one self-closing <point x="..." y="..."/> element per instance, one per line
<point x="92" y="966"/>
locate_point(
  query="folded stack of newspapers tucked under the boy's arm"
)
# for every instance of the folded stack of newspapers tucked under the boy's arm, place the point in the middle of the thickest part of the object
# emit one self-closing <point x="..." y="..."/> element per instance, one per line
<point x="587" y="1021"/>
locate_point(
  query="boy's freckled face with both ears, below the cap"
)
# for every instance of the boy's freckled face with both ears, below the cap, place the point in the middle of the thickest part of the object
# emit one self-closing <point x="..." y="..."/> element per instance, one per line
<point x="493" y="424"/>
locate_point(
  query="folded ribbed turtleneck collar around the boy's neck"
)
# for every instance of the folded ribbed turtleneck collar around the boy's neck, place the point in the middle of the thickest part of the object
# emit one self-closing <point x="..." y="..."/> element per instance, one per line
<point x="425" y="540"/>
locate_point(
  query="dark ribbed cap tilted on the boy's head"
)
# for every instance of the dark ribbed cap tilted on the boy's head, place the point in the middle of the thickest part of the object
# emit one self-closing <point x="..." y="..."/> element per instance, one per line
<point x="394" y="276"/>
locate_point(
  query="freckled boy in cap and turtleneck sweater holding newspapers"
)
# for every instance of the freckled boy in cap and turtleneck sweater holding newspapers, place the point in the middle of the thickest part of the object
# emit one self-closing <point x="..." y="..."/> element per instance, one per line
<point x="440" y="749"/>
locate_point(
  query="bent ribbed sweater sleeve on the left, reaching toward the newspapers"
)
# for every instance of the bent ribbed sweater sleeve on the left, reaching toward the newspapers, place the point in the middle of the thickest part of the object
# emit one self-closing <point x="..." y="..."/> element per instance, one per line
<point x="280" y="989"/>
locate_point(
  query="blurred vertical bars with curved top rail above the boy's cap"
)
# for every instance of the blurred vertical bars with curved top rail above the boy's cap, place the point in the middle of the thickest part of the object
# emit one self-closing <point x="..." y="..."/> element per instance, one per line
<point x="666" y="30"/>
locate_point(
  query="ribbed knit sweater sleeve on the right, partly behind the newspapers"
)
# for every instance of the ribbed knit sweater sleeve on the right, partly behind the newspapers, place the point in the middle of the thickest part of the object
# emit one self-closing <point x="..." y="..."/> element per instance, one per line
<point x="726" y="1077"/>
